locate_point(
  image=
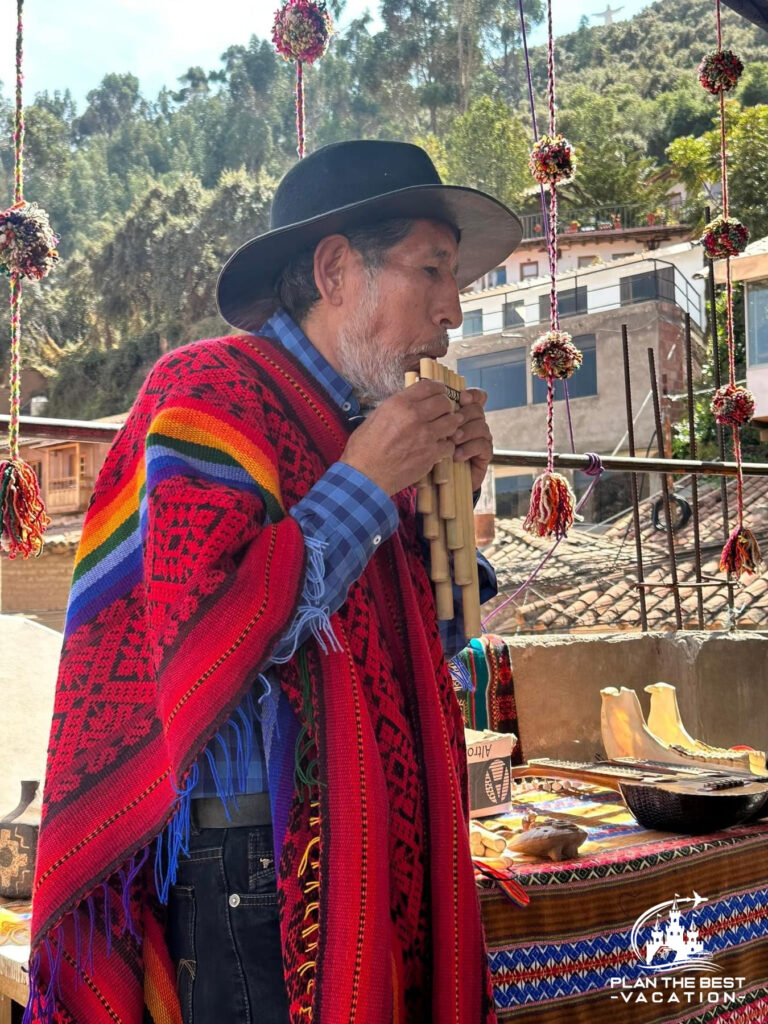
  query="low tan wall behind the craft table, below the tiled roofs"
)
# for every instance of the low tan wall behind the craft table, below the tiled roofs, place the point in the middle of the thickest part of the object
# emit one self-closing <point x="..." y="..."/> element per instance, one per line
<point x="721" y="680"/>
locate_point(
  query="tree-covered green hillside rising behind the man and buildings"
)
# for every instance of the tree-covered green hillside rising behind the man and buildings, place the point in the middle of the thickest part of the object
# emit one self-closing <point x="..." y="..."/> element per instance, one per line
<point x="150" y="195"/>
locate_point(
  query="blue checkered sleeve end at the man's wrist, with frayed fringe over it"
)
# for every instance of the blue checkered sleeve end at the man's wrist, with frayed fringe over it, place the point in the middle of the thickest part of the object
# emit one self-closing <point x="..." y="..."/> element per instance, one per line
<point x="350" y="514"/>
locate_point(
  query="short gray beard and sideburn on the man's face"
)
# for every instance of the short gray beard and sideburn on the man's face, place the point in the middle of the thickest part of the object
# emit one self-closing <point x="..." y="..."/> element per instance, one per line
<point x="374" y="371"/>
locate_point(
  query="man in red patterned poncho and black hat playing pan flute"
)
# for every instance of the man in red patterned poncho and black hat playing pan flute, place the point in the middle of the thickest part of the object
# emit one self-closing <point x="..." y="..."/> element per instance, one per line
<point x="253" y="673"/>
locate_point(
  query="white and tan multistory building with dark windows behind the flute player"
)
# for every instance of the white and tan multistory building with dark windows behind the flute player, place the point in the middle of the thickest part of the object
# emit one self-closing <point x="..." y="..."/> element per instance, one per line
<point x="651" y="292"/>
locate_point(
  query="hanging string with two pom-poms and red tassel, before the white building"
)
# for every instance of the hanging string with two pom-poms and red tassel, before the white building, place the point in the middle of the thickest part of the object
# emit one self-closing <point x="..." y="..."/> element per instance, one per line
<point x="553" y="356"/>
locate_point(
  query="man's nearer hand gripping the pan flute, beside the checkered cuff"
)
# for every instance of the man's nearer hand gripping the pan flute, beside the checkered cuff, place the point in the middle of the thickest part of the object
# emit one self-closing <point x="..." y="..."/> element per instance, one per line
<point x="405" y="437"/>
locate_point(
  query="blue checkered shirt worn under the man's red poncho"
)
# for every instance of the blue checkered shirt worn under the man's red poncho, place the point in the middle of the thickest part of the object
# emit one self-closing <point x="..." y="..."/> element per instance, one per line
<point x="352" y="517"/>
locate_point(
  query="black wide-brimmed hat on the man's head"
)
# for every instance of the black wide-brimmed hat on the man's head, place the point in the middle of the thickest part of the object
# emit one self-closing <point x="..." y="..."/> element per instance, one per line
<point x="347" y="186"/>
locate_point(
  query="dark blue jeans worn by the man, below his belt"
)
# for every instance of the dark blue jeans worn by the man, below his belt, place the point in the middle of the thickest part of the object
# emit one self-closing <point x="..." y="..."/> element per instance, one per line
<point x="224" y="930"/>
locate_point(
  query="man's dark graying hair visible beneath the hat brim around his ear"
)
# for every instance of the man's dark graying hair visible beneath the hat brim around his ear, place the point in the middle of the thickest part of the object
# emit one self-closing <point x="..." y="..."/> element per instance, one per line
<point x="295" y="288"/>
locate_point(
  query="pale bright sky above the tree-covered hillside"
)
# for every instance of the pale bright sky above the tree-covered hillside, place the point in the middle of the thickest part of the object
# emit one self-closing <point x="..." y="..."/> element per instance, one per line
<point x="74" y="45"/>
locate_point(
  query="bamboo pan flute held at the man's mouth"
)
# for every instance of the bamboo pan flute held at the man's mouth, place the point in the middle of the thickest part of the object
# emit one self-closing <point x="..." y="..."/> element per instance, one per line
<point x="445" y="499"/>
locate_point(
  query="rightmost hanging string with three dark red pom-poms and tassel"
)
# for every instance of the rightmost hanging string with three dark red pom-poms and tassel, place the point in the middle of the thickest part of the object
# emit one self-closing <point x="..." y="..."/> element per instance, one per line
<point x="733" y="406"/>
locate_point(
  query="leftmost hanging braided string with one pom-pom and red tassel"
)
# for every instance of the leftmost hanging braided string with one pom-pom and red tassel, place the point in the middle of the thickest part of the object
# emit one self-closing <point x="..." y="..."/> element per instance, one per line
<point x="28" y="249"/>
